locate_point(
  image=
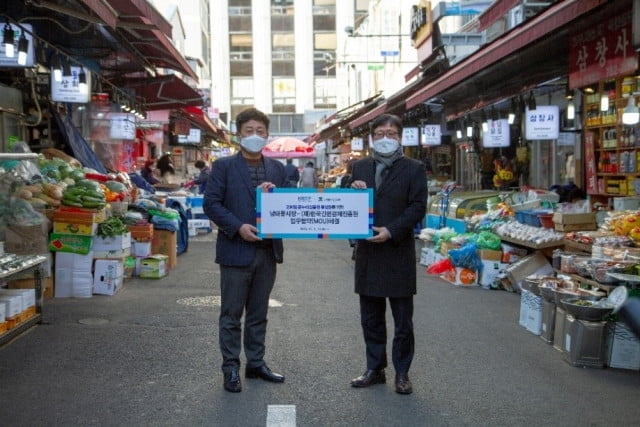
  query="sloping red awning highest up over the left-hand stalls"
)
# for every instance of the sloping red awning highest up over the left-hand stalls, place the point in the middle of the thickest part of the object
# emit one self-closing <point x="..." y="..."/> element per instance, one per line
<point x="145" y="31"/>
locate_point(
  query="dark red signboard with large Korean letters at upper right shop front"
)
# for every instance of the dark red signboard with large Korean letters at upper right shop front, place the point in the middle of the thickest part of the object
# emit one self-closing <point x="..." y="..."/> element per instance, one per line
<point x="602" y="51"/>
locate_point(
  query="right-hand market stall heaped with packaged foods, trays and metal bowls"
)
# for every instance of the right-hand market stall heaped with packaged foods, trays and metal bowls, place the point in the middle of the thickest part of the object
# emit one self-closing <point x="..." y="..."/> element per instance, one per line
<point x="569" y="265"/>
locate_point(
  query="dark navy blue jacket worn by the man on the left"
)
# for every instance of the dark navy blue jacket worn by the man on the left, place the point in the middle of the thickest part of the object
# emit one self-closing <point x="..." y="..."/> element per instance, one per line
<point x="230" y="201"/>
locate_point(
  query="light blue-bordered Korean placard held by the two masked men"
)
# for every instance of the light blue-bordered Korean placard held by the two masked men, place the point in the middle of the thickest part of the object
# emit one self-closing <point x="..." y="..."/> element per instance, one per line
<point x="310" y="213"/>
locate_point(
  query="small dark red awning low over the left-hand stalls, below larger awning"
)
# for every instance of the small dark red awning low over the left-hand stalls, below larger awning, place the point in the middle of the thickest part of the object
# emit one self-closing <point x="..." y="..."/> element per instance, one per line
<point x="165" y="93"/>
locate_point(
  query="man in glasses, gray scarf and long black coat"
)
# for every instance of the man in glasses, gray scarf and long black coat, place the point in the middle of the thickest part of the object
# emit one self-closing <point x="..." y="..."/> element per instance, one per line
<point x="385" y="266"/>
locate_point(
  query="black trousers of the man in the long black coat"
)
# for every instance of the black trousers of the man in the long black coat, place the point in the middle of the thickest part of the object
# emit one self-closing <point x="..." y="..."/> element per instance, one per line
<point x="374" y="328"/>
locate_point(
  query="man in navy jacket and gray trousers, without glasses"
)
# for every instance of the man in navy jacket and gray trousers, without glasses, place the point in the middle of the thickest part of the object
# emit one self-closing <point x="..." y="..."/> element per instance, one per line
<point x="247" y="262"/>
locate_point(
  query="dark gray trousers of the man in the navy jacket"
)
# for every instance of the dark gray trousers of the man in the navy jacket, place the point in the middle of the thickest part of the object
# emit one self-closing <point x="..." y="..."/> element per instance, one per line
<point x="245" y="290"/>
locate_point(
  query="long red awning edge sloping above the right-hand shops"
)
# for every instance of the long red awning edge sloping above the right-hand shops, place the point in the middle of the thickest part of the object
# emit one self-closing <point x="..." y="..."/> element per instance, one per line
<point x="555" y="17"/>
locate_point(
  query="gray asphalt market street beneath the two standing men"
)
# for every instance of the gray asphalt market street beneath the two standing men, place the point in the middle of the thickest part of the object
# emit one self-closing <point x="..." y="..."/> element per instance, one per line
<point x="149" y="356"/>
